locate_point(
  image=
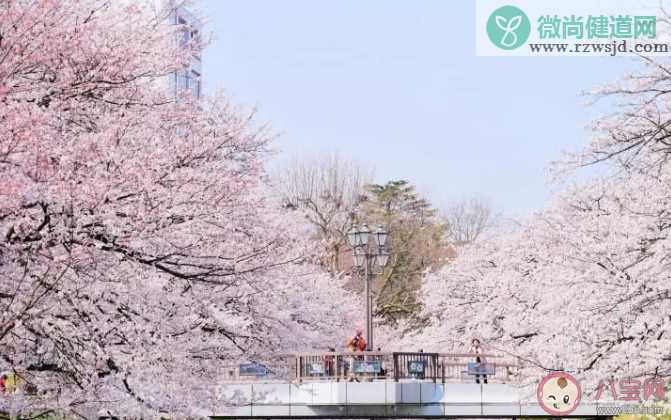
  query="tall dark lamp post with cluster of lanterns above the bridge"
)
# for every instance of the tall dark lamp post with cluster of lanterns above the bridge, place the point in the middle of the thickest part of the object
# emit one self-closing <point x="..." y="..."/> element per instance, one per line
<point x="368" y="254"/>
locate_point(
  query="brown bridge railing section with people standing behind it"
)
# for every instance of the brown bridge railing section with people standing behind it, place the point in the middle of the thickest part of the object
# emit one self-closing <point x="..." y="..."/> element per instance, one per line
<point x="397" y="366"/>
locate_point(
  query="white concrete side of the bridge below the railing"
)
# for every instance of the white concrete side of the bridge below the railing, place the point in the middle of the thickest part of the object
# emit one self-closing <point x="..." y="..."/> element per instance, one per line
<point x="388" y="399"/>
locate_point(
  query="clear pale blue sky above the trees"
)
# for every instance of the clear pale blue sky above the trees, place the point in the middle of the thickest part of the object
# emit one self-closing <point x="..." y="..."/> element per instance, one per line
<point x="397" y="85"/>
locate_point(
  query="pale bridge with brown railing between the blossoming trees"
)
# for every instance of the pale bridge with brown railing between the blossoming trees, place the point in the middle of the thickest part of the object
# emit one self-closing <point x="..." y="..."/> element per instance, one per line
<point x="386" y="385"/>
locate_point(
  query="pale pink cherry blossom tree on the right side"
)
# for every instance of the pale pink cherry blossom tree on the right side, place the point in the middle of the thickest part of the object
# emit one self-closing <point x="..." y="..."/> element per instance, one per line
<point x="584" y="284"/>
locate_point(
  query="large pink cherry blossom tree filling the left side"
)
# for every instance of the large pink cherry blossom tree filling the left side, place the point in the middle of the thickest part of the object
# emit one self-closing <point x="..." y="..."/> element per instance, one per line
<point x="140" y="250"/>
